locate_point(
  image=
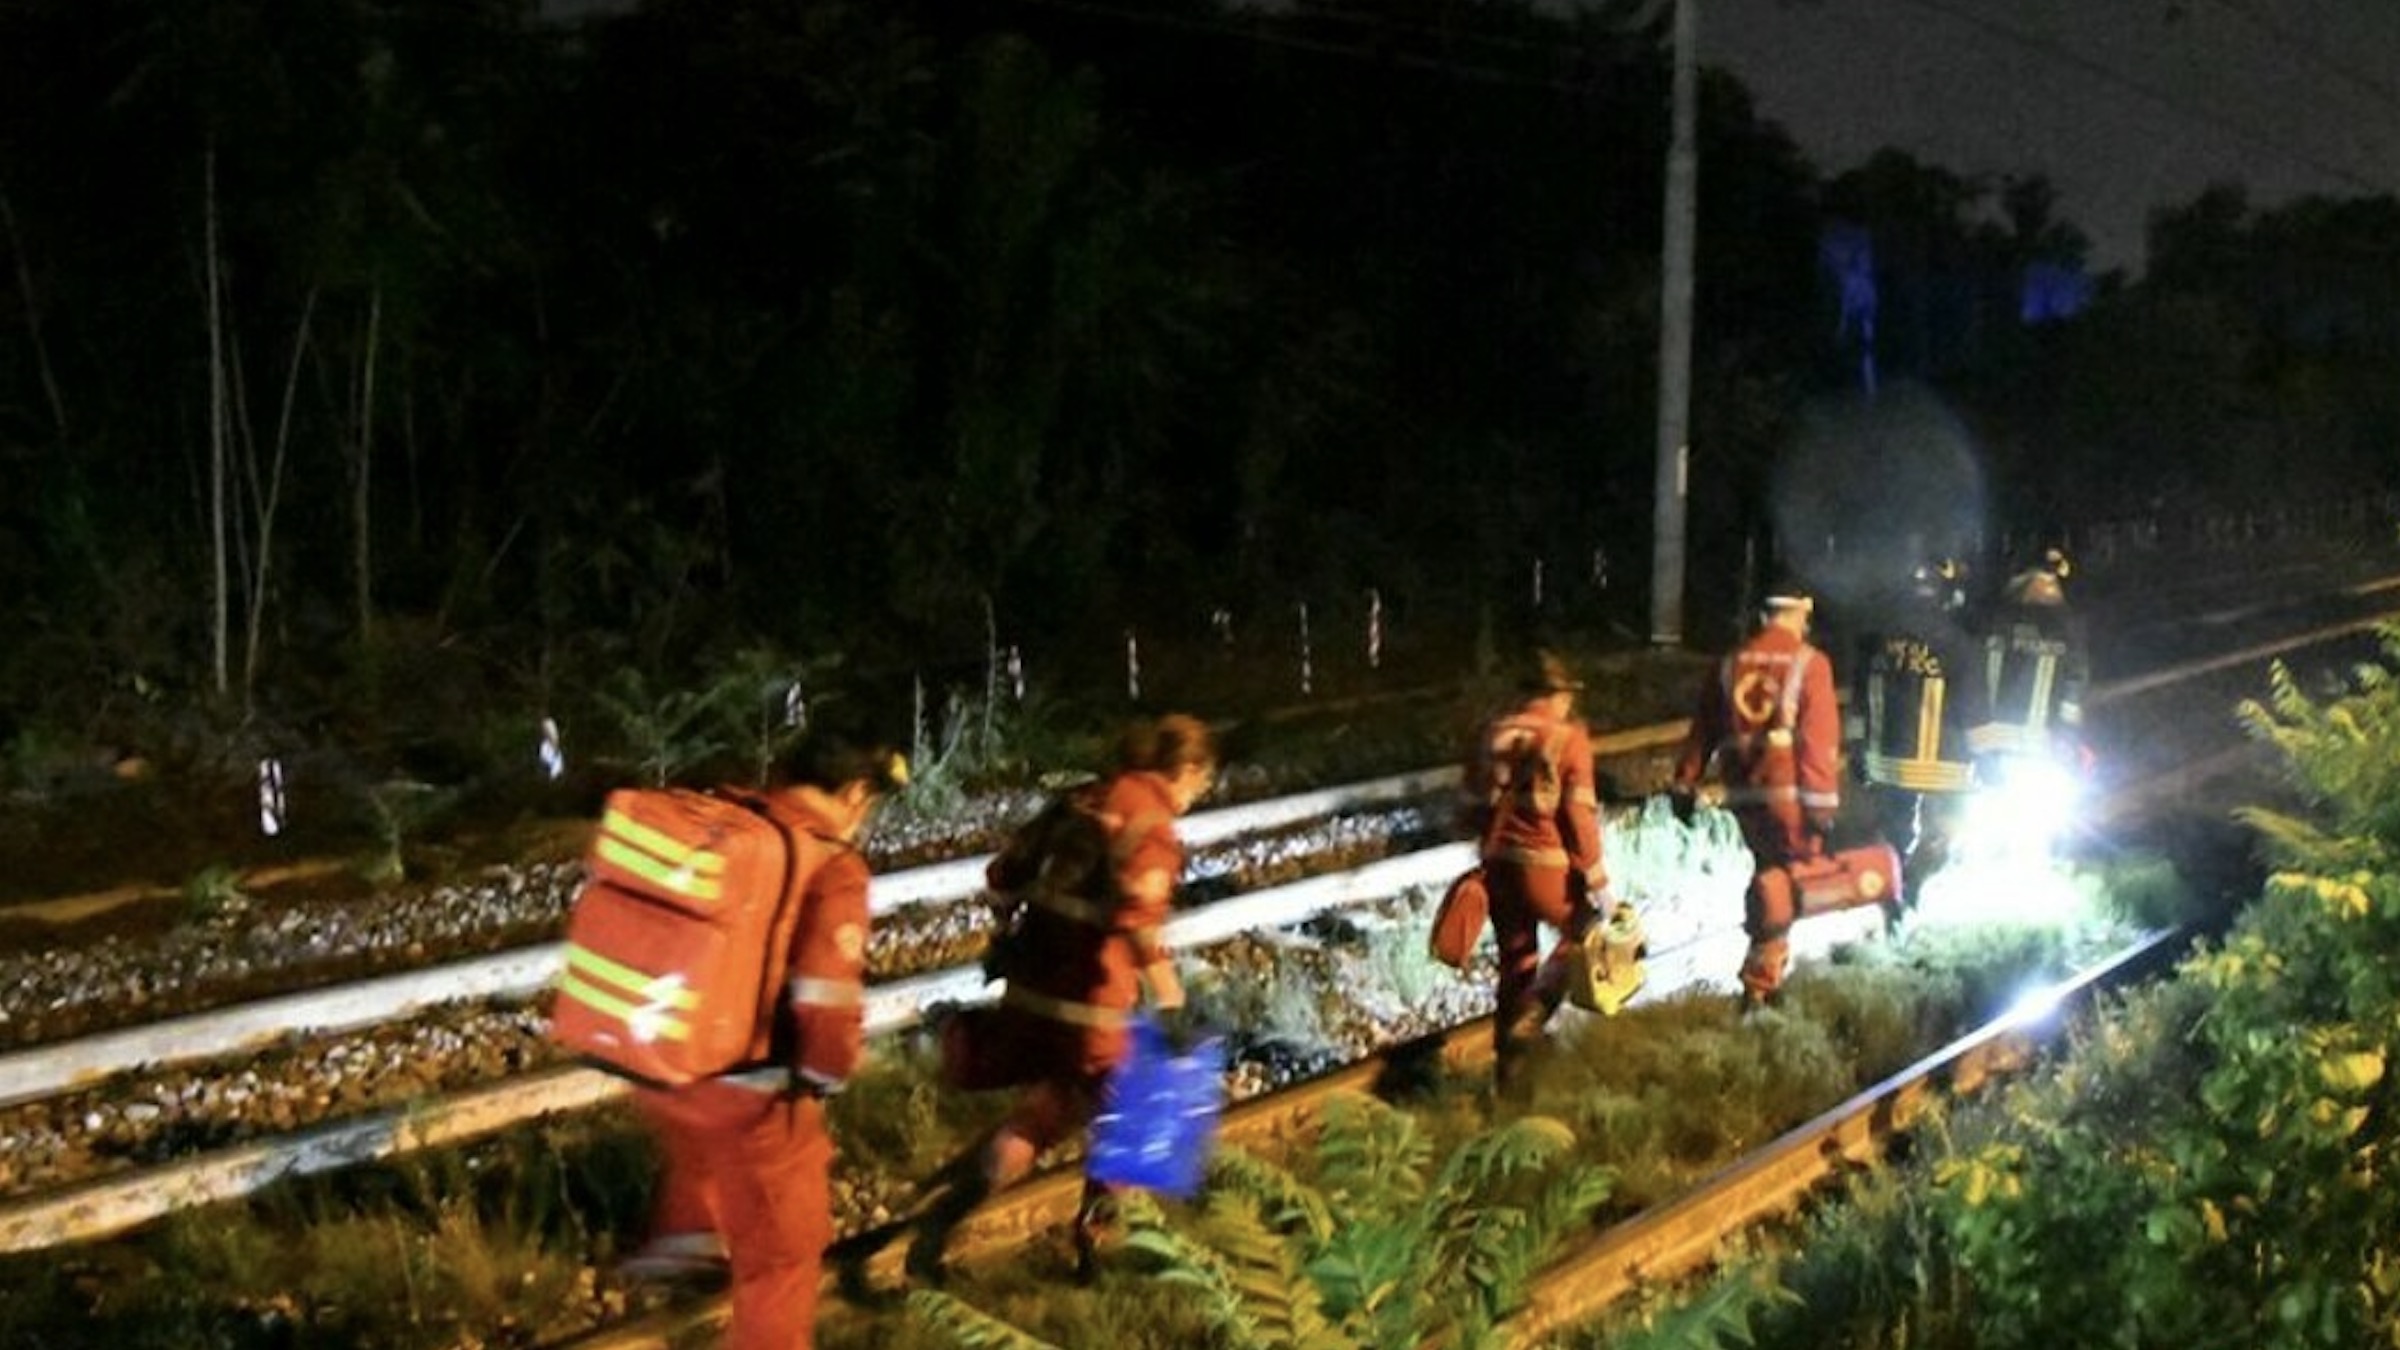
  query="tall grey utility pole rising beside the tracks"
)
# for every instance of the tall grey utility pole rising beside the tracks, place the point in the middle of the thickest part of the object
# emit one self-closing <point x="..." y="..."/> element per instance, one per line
<point x="1676" y="333"/>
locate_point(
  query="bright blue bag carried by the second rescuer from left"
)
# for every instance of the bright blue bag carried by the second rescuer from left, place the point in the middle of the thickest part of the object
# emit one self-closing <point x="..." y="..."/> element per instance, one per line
<point x="1158" y="1116"/>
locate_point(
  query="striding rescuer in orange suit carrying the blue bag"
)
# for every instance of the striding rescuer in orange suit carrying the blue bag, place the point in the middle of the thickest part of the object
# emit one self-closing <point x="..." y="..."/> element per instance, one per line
<point x="1067" y="1008"/>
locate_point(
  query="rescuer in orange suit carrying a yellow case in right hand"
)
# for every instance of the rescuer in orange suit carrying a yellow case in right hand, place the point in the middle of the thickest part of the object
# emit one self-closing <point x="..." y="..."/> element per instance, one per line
<point x="1535" y="806"/>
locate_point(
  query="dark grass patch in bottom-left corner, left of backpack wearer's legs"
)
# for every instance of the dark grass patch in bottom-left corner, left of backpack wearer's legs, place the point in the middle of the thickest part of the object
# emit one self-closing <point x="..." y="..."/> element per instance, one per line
<point x="460" y="1248"/>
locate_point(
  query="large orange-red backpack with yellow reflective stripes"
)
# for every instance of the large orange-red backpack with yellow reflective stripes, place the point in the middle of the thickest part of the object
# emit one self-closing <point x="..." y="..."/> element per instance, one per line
<point x="678" y="940"/>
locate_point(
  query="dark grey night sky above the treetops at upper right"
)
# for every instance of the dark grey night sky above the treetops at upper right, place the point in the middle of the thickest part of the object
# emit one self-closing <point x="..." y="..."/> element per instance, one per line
<point x="2125" y="104"/>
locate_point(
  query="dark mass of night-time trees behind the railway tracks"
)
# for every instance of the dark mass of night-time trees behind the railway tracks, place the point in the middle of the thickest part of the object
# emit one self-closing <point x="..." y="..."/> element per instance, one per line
<point x="385" y="374"/>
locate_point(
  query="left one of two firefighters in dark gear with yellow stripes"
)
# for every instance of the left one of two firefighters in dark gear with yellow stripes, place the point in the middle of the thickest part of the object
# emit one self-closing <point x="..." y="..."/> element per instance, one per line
<point x="1921" y="693"/>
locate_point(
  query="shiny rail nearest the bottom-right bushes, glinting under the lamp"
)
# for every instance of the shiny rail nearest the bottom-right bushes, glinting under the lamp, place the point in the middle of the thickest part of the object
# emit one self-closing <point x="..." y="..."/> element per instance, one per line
<point x="1676" y="1238"/>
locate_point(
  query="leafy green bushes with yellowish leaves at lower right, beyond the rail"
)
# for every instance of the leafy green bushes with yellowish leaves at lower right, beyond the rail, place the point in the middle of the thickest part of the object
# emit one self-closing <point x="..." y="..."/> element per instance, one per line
<point x="2207" y="1166"/>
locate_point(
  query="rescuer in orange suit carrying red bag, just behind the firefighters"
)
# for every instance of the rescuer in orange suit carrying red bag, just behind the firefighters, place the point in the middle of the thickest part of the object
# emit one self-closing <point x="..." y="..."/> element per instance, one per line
<point x="1770" y="727"/>
